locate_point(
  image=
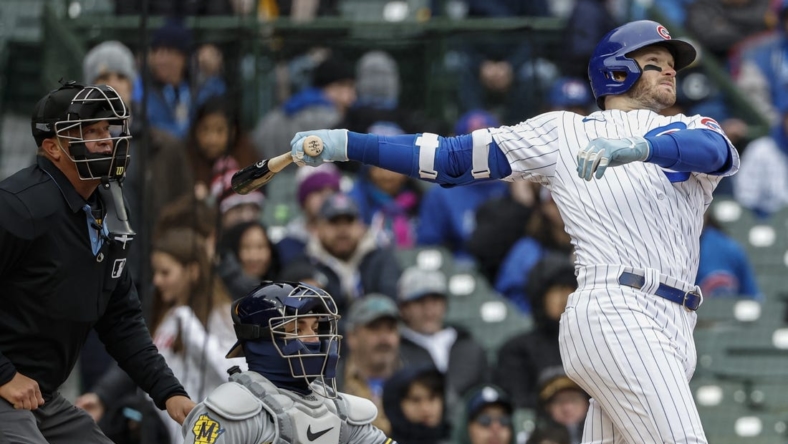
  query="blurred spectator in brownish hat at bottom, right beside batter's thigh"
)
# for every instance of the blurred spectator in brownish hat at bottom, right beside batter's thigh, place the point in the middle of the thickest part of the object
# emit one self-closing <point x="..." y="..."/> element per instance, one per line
<point x="562" y="404"/>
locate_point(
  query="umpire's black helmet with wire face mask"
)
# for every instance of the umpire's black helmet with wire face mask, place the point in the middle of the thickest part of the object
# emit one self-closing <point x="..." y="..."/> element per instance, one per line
<point x="67" y="111"/>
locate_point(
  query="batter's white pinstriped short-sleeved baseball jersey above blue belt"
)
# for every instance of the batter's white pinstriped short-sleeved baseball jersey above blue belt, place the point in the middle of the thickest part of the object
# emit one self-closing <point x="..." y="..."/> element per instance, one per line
<point x="658" y="213"/>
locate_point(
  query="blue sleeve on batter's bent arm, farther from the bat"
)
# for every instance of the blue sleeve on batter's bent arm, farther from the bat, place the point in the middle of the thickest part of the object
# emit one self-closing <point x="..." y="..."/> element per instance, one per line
<point x="695" y="150"/>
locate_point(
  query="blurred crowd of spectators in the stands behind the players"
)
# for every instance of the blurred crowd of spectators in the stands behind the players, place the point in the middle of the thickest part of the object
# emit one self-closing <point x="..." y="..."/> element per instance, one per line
<point x="433" y="382"/>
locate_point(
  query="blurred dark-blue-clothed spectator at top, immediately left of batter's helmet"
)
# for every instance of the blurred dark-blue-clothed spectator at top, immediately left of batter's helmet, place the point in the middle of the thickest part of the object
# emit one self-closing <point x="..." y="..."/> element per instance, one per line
<point x="589" y="21"/>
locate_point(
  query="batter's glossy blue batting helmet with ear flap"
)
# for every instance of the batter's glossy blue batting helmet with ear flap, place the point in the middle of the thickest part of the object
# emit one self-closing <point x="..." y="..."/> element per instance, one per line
<point x="611" y="56"/>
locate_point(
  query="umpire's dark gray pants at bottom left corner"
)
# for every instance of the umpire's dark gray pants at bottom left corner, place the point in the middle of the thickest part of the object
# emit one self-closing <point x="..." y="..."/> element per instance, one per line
<point x="55" y="422"/>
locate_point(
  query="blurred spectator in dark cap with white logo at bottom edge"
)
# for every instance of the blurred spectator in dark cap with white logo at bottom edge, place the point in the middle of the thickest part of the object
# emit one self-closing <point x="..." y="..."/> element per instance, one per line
<point x="488" y="415"/>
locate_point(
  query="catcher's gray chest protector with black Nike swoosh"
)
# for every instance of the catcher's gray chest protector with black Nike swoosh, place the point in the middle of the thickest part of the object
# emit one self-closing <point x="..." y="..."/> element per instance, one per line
<point x="298" y="419"/>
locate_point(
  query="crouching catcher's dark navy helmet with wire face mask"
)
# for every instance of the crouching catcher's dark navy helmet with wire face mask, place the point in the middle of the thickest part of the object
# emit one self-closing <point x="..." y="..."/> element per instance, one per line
<point x="261" y="318"/>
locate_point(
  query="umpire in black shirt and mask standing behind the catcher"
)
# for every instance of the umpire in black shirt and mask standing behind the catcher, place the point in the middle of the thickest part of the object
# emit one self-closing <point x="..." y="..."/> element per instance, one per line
<point x="63" y="245"/>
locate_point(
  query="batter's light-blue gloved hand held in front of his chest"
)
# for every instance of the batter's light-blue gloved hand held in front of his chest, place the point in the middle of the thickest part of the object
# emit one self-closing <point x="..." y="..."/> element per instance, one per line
<point x="601" y="153"/>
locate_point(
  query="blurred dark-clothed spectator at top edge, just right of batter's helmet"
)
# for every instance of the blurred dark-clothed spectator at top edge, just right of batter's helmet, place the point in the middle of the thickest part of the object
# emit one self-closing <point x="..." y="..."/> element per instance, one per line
<point x="720" y="25"/>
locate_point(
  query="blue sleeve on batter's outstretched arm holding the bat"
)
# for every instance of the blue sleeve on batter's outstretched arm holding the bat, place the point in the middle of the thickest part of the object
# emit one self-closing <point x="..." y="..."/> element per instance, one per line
<point x="453" y="157"/>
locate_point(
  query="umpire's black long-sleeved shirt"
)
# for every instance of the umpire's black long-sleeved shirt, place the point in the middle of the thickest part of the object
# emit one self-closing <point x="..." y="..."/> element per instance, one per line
<point x="54" y="288"/>
